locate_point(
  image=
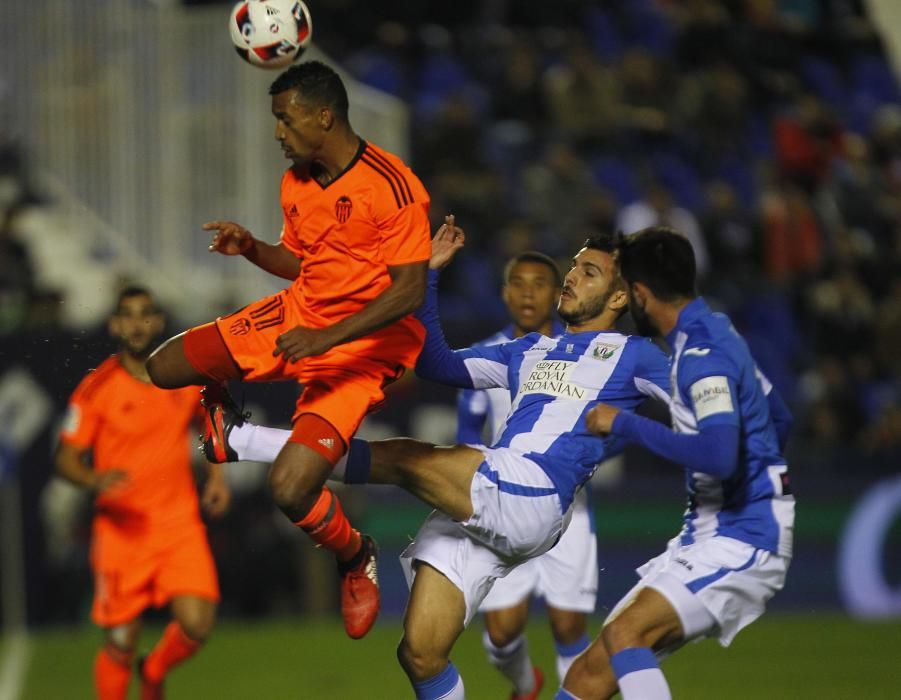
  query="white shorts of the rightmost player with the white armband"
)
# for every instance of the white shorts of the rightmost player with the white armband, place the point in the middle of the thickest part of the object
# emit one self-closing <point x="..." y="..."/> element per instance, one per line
<point x="716" y="586"/>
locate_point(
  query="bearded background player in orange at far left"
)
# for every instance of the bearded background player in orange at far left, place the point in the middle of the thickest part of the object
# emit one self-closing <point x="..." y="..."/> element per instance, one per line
<point x="149" y="546"/>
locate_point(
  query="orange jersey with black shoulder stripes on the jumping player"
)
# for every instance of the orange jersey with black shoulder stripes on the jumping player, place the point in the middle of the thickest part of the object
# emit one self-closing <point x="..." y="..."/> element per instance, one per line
<point x="372" y="216"/>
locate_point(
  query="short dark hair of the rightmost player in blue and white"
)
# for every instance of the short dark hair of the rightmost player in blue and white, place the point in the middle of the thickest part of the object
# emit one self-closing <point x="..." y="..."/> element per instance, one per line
<point x="660" y="258"/>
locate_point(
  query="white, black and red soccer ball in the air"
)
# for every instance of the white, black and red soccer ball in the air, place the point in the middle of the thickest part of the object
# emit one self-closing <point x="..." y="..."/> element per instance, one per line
<point x="270" y="33"/>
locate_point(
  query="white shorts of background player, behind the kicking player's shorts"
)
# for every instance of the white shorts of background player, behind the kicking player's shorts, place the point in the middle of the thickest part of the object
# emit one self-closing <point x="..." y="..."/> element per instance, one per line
<point x="566" y="576"/>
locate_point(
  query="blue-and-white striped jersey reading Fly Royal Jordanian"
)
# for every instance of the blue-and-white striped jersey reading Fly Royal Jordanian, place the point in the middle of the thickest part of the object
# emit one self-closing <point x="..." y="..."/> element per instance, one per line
<point x="554" y="383"/>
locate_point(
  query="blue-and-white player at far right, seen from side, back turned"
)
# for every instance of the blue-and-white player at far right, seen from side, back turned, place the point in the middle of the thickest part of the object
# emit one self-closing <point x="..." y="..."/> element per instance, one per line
<point x="735" y="546"/>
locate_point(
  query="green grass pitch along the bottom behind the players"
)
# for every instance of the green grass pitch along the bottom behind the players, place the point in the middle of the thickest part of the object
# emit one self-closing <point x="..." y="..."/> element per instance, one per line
<point x="820" y="657"/>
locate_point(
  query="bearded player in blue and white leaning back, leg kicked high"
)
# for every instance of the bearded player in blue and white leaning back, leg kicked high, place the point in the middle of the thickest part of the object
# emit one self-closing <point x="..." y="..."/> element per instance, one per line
<point x="499" y="506"/>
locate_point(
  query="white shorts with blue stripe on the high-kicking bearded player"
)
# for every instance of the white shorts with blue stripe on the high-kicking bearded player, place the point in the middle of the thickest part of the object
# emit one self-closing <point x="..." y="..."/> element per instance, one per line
<point x="516" y="516"/>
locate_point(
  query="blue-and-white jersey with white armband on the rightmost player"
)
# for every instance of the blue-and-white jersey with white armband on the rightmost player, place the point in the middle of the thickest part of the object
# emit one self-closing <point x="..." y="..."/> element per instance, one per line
<point x="716" y="382"/>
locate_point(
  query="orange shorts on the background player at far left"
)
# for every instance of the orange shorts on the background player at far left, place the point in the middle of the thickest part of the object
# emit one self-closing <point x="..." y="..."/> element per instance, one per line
<point x="132" y="574"/>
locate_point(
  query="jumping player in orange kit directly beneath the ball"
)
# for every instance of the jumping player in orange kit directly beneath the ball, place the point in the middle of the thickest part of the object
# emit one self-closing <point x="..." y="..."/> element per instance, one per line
<point x="356" y="245"/>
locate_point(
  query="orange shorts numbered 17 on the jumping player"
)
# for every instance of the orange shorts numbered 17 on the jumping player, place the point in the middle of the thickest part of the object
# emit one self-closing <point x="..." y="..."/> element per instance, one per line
<point x="340" y="386"/>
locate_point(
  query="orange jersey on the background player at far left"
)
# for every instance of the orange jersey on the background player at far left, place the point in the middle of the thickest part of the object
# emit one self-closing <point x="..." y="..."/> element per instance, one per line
<point x="145" y="431"/>
